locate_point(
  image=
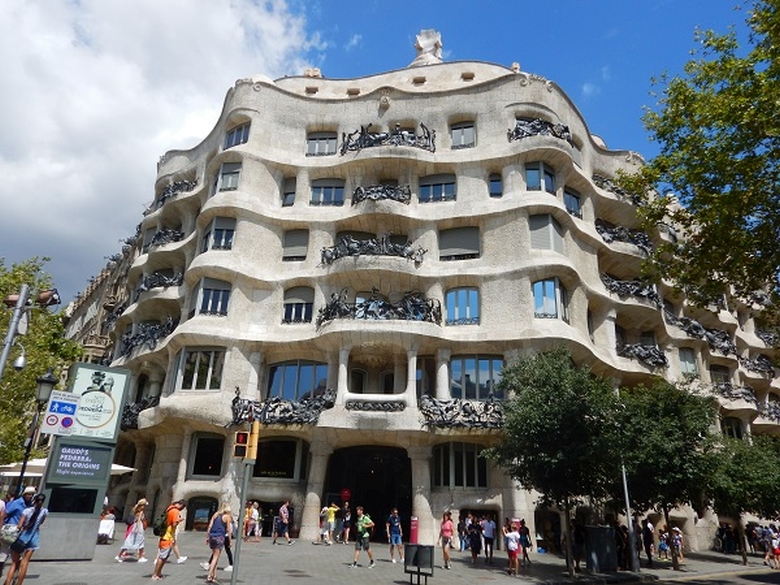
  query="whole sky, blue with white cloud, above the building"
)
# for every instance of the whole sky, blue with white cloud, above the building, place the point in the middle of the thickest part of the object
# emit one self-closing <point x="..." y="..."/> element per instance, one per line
<point x="95" y="91"/>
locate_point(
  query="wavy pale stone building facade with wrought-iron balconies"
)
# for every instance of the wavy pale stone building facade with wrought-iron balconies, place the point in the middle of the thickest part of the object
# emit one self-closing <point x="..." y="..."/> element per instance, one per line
<point x="353" y="262"/>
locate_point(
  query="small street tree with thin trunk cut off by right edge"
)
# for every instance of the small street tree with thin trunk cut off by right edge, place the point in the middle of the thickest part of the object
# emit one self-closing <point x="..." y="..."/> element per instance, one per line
<point x="746" y="481"/>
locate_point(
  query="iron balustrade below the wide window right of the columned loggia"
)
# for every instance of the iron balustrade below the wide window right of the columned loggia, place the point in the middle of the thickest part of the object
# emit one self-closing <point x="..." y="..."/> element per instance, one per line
<point x="458" y="413"/>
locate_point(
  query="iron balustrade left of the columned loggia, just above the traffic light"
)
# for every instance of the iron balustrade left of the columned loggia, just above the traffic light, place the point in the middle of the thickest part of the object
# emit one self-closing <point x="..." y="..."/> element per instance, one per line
<point x="276" y="410"/>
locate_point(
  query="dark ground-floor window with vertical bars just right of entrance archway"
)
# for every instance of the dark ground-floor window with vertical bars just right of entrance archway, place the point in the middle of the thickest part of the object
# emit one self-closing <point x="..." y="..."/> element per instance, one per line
<point x="459" y="465"/>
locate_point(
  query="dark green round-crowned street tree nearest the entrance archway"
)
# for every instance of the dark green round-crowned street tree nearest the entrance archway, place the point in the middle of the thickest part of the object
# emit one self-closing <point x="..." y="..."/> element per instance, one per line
<point x="559" y="432"/>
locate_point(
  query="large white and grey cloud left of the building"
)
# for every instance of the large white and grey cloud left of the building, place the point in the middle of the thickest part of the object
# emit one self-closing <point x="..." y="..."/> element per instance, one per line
<point x="95" y="91"/>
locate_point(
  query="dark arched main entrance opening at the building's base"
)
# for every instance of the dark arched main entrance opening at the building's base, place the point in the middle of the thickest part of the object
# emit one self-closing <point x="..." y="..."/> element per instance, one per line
<point x="379" y="478"/>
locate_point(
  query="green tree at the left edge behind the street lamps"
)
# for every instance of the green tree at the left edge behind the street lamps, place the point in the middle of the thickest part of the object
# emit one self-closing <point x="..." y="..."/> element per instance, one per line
<point x="45" y="347"/>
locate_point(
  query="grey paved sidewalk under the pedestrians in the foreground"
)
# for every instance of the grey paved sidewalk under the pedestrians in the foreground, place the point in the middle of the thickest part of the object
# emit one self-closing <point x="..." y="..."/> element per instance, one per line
<point x="305" y="564"/>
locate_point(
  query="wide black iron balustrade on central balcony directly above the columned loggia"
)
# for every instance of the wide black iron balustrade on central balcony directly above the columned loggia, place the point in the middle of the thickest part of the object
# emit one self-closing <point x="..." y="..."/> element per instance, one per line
<point x="412" y="307"/>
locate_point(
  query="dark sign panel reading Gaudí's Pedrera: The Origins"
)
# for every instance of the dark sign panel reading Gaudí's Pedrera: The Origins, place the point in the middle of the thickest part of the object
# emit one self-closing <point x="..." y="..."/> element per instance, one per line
<point x="79" y="464"/>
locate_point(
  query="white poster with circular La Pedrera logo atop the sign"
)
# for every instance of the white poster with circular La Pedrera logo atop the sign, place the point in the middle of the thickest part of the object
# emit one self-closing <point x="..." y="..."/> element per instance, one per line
<point x="101" y="393"/>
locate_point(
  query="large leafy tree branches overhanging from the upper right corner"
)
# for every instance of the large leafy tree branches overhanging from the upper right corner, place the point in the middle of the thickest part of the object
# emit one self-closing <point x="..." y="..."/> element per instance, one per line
<point x="719" y="136"/>
